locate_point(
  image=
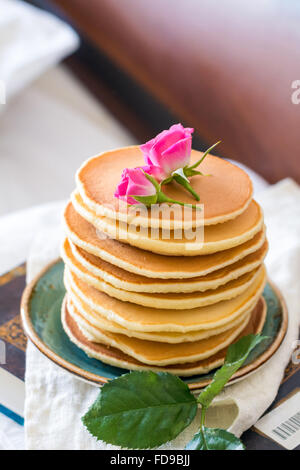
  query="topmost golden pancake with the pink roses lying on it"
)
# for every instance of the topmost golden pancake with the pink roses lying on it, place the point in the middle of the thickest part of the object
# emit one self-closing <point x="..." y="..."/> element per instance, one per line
<point x="225" y="193"/>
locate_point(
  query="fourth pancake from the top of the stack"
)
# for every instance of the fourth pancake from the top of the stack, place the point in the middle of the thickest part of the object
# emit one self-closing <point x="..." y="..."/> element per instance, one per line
<point x="87" y="264"/>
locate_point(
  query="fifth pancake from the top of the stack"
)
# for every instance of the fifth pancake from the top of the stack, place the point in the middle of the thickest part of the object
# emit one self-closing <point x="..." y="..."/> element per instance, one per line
<point x="179" y="301"/>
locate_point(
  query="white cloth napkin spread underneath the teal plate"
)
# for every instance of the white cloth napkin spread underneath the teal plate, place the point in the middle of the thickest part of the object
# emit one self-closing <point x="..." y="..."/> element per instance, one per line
<point x="55" y="400"/>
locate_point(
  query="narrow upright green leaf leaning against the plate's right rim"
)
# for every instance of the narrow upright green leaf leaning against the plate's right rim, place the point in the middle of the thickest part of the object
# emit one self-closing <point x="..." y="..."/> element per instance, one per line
<point x="236" y="355"/>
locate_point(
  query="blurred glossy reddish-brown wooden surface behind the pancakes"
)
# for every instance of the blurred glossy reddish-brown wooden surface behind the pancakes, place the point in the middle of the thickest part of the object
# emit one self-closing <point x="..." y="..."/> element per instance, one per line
<point x="224" y="68"/>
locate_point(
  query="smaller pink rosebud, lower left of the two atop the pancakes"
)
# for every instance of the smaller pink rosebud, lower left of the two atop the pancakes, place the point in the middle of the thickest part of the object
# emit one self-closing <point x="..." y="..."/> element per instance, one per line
<point x="134" y="183"/>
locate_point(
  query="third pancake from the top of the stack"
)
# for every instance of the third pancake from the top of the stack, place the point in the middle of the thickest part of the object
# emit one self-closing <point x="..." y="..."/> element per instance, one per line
<point x="145" y="263"/>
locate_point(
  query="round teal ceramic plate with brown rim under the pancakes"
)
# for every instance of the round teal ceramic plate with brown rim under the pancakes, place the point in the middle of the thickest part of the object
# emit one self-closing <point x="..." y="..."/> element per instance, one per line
<point x="41" y="307"/>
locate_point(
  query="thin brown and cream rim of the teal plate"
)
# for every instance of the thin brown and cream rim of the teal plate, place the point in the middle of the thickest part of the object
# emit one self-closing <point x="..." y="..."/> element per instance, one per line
<point x="95" y="379"/>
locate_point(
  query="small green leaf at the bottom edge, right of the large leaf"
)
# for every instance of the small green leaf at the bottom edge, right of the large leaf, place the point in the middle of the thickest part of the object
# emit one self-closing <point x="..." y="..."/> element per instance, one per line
<point x="214" y="439"/>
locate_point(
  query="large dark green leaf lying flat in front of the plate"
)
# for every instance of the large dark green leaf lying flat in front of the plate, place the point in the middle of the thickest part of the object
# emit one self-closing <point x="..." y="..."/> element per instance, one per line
<point x="141" y="410"/>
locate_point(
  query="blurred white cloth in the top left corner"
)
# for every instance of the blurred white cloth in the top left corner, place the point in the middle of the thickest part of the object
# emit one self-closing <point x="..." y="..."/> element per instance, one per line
<point x="31" y="40"/>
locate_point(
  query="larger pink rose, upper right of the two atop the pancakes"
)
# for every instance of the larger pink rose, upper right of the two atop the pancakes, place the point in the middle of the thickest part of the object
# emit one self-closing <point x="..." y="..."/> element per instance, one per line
<point x="169" y="150"/>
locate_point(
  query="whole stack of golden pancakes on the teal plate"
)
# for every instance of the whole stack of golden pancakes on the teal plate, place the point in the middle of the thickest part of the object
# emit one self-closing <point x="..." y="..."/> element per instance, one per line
<point x="141" y="301"/>
